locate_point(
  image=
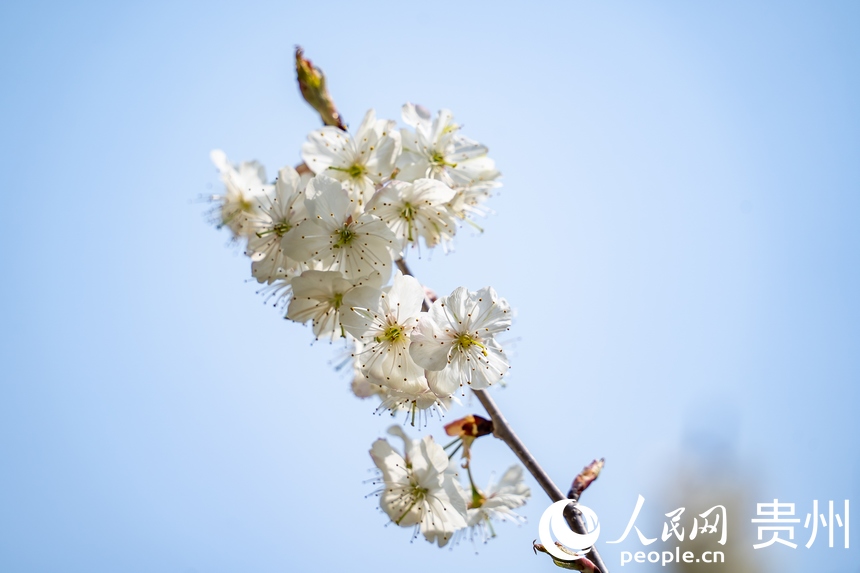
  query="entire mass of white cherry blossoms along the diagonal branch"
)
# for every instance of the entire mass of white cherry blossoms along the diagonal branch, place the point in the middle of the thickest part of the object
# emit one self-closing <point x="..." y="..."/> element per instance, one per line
<point x="324" y="240"/>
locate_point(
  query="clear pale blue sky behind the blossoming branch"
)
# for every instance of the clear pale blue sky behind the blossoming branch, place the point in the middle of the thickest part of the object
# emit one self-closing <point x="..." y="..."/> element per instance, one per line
<point x="678" y="233"/>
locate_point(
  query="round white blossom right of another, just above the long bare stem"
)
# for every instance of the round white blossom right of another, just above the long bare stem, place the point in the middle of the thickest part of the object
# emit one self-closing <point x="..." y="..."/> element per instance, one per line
<point x="456" y="339"/>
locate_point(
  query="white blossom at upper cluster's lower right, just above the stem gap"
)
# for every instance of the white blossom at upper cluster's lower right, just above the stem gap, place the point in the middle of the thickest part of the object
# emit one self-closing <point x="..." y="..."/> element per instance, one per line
<point x="418" y="209"/>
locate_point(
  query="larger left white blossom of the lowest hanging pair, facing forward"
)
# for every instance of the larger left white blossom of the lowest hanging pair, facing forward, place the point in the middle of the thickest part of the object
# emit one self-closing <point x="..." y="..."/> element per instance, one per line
<point x="418" y="489"/>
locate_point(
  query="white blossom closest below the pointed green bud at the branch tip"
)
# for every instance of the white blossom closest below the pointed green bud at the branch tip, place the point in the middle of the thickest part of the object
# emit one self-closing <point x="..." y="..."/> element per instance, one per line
<point x="361" y="162"/>
